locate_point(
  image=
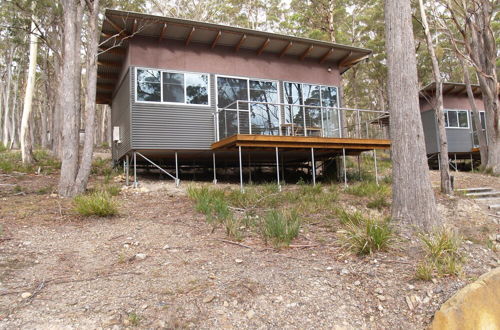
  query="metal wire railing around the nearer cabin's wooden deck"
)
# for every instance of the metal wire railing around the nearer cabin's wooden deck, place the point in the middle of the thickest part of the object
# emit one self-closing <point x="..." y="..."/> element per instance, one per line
<point x="281" y="119"/>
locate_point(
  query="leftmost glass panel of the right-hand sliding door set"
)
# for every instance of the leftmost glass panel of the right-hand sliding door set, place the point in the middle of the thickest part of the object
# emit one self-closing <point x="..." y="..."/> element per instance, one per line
<point x="294" y="113"/>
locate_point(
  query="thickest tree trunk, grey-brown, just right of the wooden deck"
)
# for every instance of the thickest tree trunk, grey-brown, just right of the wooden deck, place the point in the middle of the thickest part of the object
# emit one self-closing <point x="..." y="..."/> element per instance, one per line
<point x="413" y="197"/>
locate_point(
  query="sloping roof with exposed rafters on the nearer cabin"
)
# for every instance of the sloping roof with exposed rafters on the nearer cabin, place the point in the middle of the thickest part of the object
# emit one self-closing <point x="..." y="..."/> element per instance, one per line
<point x="122" y="25"/>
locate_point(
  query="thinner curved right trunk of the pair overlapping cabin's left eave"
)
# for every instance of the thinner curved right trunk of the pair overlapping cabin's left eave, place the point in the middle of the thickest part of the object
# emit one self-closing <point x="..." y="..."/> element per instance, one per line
<point x="90" y="103"/>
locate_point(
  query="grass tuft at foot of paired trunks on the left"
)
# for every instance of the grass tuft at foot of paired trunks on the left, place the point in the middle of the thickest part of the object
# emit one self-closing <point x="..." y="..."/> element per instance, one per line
<point x="98" y="203"/>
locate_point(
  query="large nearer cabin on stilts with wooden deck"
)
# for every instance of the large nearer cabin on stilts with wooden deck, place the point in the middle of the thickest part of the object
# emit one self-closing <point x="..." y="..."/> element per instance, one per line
<point x="187" y="94"/>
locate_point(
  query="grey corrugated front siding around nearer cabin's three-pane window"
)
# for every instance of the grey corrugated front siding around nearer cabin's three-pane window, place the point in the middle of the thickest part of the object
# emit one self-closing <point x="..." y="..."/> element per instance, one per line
<point x="166" y="126"/>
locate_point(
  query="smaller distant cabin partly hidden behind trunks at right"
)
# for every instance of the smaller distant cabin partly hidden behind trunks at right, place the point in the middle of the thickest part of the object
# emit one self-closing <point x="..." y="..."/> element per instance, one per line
<point x="459" y="122"/>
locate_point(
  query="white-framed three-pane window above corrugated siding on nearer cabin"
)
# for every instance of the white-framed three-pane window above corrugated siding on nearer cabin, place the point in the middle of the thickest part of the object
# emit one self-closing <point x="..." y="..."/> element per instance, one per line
<point x="172" y="87"/>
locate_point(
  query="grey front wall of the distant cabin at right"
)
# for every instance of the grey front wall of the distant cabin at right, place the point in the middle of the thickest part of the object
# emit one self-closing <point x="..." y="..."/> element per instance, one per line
<point x="459" y="139"/>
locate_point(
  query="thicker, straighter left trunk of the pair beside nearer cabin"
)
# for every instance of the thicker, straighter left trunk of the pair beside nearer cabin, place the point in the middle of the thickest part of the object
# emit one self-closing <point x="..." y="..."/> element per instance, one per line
<point x="68" y="97"/>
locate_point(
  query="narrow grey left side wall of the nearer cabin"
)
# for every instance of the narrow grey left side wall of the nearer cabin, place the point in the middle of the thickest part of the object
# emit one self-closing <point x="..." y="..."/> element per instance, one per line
<point x="120" y="116"/>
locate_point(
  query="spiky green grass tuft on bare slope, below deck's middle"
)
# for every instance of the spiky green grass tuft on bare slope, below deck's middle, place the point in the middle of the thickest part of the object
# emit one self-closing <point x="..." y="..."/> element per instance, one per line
<point x="281" y="228"/>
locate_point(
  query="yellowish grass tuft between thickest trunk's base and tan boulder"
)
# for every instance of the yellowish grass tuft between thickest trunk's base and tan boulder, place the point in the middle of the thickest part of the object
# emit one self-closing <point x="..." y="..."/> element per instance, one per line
<point x="442" y="254"/>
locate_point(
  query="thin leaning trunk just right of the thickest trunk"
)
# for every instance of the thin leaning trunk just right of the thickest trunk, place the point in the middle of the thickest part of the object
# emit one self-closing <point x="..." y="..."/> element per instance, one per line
<point x="438" y="107"/>
